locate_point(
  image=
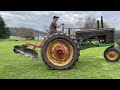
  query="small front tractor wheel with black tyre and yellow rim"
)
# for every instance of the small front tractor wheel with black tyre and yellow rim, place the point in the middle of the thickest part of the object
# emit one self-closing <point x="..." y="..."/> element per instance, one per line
<point x="112" y="54"/>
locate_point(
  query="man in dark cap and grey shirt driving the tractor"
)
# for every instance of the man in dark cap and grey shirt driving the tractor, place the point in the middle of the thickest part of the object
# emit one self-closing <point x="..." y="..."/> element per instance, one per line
<point x="53" y="26"/>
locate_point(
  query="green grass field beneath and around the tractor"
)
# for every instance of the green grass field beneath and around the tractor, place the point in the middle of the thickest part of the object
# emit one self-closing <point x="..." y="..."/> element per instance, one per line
<point x="91" y="65"/>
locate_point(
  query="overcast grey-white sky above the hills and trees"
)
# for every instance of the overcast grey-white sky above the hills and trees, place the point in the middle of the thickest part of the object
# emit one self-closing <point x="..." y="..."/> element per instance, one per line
<point x="38" y="19"/>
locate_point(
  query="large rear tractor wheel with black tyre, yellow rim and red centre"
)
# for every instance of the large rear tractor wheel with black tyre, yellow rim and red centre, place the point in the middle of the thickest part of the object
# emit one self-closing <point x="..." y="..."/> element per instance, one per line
<point x="60" y="51"/>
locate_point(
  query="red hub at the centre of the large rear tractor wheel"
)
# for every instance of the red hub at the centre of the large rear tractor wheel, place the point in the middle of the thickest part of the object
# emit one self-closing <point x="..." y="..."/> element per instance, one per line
<point x="59" y="52"/>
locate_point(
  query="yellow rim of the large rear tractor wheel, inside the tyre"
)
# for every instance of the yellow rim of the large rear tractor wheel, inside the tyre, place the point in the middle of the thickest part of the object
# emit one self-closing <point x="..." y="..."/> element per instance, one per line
<point x="68" y="49"/>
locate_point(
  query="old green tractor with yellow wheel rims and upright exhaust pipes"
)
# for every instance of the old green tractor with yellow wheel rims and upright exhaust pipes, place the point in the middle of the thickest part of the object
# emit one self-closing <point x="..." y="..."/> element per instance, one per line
<point x="61" y="51"/>
